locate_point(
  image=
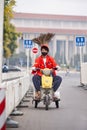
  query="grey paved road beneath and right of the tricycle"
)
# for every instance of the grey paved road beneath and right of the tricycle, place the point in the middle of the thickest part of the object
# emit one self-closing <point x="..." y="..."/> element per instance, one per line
<point x="72" y="114"/>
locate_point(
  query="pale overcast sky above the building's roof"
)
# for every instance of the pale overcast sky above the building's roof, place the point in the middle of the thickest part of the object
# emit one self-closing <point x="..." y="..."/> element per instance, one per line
<point x="67" y="7"/>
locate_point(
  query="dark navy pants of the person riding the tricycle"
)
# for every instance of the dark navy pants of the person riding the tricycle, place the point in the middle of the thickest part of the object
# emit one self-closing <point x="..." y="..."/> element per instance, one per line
<point x="37" y="82"/>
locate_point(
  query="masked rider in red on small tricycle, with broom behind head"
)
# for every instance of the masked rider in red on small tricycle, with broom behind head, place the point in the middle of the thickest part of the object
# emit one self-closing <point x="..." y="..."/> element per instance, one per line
<point x="45" y="79"/>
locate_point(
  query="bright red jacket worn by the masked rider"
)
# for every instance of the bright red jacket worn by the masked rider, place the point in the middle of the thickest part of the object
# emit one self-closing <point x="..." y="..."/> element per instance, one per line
<point x="39" y="63"/>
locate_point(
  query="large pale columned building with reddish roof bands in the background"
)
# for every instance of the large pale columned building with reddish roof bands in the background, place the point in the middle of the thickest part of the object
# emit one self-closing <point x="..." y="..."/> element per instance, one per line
<point x="66" y="28"/>
